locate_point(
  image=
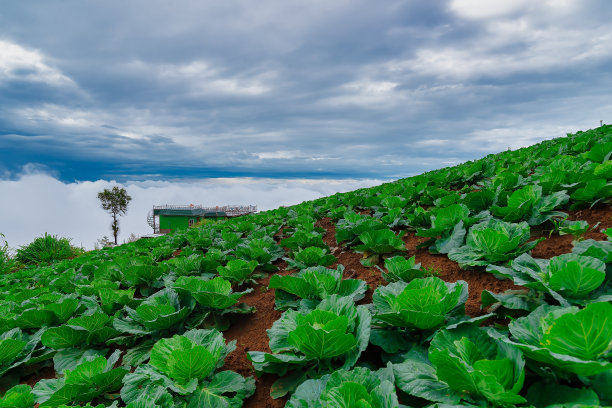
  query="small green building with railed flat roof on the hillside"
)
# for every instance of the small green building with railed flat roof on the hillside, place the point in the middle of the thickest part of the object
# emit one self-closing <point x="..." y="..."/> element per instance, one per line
<point x="167" y="218"/>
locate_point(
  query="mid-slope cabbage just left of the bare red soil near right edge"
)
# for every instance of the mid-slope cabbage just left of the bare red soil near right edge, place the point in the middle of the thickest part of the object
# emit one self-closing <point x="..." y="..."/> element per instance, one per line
<point x="493" y="241"/>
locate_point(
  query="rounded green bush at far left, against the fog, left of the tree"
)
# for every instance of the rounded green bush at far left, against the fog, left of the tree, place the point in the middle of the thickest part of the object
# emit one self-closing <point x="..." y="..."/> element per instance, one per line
<point x="46" y="249"/>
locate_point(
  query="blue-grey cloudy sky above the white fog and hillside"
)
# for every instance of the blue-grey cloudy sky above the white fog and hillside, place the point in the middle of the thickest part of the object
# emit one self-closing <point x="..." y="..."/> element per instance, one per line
<point x="137" y="91"/>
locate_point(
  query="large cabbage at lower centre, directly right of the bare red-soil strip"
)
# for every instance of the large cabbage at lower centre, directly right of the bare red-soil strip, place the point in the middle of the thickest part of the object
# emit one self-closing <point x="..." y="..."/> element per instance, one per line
<point x="311" y="342"/>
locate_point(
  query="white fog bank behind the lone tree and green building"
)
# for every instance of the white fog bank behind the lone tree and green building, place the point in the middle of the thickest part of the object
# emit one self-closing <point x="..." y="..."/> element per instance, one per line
<point x="37" y="203"/>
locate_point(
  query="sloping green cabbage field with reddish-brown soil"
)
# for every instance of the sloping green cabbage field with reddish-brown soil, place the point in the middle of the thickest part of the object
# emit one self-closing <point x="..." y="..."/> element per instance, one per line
<point x="487" y="284"/>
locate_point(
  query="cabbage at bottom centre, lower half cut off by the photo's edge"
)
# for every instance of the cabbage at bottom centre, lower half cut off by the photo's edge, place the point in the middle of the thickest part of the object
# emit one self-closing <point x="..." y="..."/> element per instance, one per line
<point x="359" y="387"/>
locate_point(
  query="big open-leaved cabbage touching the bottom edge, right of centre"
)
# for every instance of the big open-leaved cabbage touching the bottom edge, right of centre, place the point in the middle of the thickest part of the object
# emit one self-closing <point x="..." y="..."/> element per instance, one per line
<point x="466" y="364"/>
